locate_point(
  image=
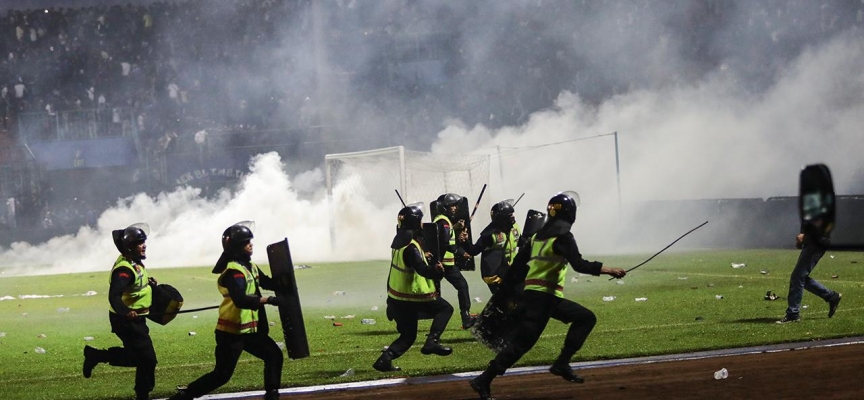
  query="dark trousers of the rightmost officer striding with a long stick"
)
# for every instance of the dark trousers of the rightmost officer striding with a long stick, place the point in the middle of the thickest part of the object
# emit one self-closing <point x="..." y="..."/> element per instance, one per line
<point x="536" y="310"/>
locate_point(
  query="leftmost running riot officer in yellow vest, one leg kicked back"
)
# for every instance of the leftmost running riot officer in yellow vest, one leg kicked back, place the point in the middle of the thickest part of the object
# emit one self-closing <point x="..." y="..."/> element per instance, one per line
<point x="129" y="299"/>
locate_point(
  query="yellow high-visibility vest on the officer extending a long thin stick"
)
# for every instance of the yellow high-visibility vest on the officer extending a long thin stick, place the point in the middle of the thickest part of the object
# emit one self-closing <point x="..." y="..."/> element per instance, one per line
<point x="546" y="270"/>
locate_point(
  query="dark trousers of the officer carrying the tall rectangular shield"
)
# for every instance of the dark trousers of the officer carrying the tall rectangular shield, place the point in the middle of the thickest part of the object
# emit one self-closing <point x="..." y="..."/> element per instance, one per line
<point x="228" y="349"/>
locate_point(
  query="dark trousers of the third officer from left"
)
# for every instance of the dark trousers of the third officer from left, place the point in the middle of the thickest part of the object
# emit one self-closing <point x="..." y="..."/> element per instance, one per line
<point x="407" y="313"/>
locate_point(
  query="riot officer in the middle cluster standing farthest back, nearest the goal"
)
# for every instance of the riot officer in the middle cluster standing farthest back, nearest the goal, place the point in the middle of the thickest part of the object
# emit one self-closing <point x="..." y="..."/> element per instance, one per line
<point x="447" y="209"/>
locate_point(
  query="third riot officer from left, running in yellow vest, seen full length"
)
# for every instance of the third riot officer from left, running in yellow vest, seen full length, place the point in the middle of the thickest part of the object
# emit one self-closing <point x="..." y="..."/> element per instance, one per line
<point x="411" y="291"/>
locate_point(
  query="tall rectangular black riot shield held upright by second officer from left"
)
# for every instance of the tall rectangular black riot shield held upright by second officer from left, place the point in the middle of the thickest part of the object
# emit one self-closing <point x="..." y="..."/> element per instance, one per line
<point x="290" y="314"/>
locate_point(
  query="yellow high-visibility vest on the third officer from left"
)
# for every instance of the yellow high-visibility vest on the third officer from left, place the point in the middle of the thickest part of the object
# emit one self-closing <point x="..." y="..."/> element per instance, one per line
<point x="404" y="283"/>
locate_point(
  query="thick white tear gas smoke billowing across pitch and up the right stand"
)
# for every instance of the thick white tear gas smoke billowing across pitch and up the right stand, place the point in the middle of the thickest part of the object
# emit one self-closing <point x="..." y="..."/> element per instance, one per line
<point x="709" y="101"/>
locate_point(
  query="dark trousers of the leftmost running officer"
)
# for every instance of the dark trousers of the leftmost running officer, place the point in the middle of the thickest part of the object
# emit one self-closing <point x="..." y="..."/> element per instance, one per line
<point x="137" y="350"/>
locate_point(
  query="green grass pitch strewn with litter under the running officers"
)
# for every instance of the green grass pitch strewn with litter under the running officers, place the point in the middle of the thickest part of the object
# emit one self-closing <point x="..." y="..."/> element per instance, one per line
<point x="681" y="314"/>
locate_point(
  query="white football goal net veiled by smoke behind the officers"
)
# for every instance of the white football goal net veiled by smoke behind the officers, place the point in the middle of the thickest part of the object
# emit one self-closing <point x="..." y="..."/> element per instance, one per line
<point x="364" y="181"/>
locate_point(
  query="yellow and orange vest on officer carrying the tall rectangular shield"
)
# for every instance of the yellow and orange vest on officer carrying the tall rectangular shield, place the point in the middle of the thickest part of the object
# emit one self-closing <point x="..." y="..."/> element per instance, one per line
<point x="233" y="319"/>
